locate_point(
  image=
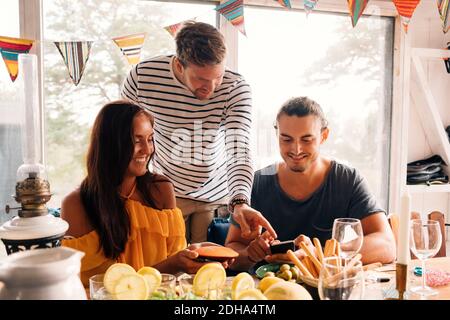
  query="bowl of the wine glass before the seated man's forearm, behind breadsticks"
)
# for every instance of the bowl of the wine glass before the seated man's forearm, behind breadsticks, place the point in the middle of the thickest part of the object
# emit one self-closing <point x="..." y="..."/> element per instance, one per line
<point x="349" y="235"/>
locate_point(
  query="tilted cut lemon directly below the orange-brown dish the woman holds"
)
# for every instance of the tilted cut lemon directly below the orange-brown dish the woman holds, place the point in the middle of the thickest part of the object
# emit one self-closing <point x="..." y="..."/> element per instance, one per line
<point x="209" y="277"/>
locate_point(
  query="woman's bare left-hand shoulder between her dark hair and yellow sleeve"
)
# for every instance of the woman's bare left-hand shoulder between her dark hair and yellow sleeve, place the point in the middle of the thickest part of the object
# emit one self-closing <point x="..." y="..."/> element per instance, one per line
<point x="73" y="211"/>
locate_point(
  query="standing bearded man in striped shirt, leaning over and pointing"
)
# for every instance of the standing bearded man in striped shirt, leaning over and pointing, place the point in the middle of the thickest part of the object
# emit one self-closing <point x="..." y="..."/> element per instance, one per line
<point x="202" y="117"/>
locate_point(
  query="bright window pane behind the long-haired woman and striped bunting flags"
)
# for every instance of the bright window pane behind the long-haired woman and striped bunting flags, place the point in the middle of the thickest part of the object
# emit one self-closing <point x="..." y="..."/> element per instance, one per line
<point x="70" y="109"/>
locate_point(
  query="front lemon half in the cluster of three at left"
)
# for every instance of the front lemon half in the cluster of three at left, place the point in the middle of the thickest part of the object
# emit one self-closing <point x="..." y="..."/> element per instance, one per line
<point x="131" y="287"/>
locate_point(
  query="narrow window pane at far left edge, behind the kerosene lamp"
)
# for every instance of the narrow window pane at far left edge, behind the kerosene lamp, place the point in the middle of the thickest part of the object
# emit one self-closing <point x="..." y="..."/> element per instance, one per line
<point x="10" y="150"/>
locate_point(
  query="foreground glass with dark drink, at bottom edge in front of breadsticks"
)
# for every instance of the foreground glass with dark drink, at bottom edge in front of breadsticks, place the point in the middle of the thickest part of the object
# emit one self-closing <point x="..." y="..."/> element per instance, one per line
<point x="341" y="279"/>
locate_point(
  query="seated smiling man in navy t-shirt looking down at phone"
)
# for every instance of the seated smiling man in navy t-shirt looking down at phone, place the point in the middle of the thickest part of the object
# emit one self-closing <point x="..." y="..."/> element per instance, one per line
<point x="302" y="196"/>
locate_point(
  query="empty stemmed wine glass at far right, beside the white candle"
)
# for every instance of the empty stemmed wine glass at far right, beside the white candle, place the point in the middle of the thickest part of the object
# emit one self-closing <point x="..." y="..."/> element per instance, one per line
<point x="425" y="240"/>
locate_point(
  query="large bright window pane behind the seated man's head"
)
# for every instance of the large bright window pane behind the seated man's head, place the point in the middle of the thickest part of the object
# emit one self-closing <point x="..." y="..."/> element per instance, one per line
<point x="348" y="71"/>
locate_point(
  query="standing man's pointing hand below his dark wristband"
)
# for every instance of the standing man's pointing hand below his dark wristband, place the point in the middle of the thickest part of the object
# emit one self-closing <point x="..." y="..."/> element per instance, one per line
<point x="251" y="222"/>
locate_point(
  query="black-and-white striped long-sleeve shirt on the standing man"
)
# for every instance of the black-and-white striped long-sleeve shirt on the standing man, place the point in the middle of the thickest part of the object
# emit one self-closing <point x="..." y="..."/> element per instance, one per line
<point x="202" y="146"/>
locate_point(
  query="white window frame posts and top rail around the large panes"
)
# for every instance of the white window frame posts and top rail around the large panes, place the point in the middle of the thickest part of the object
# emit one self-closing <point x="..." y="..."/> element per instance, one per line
<point x="31" y="26"/>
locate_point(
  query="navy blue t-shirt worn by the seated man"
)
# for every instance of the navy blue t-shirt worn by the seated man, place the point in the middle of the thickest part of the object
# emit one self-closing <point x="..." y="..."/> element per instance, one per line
<point x="343" y="193"/>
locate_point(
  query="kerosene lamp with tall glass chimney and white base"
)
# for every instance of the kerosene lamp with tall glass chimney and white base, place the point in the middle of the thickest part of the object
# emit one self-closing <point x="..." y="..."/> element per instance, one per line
<point x="34" y="227"/>
